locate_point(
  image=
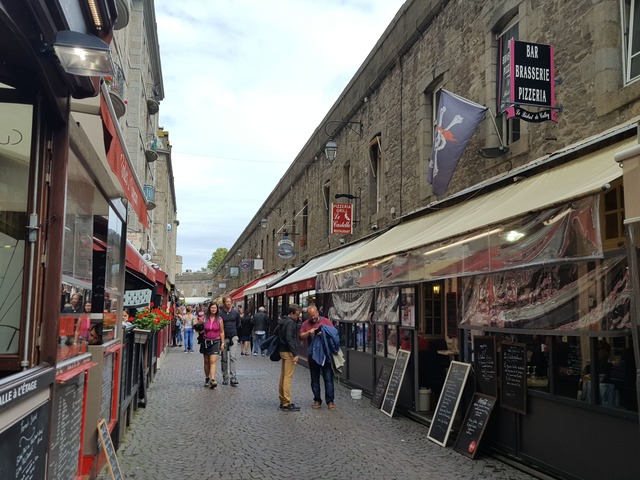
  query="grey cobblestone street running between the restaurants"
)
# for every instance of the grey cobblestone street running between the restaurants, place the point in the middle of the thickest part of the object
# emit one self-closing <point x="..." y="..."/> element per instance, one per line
<point x="239" y="433"/>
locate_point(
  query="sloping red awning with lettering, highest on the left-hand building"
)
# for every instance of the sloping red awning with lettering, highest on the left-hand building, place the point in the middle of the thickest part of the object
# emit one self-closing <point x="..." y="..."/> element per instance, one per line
<point x="120" y="165"/>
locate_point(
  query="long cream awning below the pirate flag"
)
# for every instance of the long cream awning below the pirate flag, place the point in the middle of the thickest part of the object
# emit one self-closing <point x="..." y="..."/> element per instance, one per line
<point x="569" y="181"/>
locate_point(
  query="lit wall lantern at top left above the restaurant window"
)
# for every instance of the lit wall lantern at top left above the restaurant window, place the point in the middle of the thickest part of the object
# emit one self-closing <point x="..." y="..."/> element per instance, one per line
<point x="82" y="54"/>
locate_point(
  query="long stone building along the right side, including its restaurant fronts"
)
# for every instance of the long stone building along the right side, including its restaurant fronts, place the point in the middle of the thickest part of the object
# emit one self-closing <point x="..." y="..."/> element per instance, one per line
<point x="383" y="124"/>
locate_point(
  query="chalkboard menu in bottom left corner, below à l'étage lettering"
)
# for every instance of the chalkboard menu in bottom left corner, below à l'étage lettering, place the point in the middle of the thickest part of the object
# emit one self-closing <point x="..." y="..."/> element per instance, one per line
<point x="23" y="446"/>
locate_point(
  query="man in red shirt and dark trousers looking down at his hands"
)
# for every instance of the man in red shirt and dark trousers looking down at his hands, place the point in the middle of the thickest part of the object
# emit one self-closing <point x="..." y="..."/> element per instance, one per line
<point x="311" y="332"/>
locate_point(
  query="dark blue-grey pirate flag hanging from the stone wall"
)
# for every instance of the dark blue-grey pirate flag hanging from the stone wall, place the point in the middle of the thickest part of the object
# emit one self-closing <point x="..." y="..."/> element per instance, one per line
<point x="458" y="118"/>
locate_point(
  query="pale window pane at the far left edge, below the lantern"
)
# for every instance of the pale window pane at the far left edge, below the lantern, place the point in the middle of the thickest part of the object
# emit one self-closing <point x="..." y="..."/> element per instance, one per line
<point x="15" y="162"/>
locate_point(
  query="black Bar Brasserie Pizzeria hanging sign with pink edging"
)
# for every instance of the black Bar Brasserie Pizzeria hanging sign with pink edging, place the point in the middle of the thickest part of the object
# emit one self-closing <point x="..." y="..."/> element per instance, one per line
<point x="532" y="81"/>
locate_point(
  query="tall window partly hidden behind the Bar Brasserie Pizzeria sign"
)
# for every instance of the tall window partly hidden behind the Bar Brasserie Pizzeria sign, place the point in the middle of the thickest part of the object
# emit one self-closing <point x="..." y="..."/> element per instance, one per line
<point x="509" y="129"/>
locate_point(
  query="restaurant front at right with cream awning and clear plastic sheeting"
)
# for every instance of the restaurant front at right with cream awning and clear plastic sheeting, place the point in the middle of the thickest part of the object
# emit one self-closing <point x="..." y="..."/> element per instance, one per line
<point x="539" y="267"/>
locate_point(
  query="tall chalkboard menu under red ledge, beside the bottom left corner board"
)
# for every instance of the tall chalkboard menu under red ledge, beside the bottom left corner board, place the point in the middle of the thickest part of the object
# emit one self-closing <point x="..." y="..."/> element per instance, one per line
<point x="66" y="422"/>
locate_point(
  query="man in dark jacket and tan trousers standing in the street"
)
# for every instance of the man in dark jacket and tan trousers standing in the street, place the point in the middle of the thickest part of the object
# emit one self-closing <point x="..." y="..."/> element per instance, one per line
<point x="289" y="356"/>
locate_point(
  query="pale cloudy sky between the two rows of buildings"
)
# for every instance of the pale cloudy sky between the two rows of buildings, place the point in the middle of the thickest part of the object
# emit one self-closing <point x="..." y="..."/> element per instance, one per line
<point x="246" y="83"/>
